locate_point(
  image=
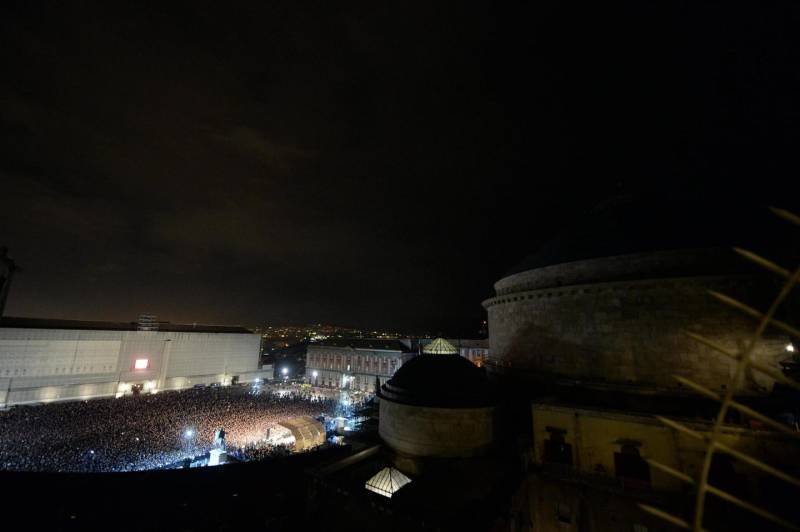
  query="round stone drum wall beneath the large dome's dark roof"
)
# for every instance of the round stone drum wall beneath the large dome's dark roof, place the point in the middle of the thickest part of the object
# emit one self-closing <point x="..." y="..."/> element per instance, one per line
<point x="621" y="321"/>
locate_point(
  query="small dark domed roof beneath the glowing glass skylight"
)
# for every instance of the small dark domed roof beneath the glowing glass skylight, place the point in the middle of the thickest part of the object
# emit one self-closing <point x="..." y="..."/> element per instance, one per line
<point x="448" y="381"/>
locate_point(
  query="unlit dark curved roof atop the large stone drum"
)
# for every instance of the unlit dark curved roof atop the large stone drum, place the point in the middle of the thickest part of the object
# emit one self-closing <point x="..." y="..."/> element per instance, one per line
<point x="641" y="226"/>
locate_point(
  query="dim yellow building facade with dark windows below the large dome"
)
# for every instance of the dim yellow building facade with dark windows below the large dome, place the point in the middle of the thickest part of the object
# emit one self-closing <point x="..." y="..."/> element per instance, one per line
<point x="589" y="459"/>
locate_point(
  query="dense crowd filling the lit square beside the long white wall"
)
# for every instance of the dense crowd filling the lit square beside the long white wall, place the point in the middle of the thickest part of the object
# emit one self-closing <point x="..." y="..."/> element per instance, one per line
<point x="144" y="432"/>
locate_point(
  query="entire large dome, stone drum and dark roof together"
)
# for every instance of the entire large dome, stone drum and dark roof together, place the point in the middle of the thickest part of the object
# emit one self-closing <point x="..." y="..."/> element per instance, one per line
<point x="609" y="301"/>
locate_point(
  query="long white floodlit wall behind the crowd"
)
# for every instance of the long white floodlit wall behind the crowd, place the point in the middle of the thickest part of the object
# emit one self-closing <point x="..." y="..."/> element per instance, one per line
<point x="41" y="365"/>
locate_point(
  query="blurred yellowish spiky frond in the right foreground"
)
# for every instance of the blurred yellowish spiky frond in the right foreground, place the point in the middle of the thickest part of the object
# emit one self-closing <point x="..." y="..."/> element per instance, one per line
<point x="744" y="363"/>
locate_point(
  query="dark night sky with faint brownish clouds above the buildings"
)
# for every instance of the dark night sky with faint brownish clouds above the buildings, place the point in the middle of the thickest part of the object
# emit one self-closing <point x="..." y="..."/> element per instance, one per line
<point x="362" y="164"/>
